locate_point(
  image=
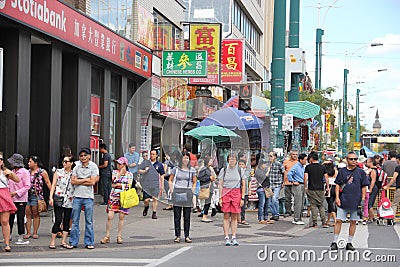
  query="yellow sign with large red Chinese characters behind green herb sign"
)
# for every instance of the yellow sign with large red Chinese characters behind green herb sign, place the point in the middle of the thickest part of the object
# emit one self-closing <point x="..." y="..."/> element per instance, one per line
<point x="207" y="37"/>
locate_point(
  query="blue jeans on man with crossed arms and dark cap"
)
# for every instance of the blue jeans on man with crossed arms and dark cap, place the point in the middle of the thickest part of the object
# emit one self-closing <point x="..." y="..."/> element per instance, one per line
<point x="77" y="205"/>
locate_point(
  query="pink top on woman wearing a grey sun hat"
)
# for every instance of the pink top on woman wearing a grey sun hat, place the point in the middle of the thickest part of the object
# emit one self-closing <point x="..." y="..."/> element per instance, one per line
<point x="22" y="187"/>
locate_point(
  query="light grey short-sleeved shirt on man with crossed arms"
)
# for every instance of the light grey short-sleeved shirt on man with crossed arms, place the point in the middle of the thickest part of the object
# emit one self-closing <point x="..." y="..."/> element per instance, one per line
<point x="82" y="172"/>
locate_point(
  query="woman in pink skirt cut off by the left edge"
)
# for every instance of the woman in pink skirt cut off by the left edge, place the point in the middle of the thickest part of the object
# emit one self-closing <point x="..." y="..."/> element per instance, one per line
<point x="7" y="206"/>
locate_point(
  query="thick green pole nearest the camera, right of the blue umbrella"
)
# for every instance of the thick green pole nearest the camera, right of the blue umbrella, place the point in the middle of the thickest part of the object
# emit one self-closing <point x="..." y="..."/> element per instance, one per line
<point x="278" y="68"/>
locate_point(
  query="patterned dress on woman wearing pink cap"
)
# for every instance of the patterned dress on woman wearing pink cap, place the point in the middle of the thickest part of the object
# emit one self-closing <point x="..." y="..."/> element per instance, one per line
<point x="114" y="201"/>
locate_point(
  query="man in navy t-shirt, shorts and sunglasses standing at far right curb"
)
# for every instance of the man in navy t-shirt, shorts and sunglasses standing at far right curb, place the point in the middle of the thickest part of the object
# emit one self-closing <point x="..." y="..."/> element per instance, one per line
<point x="351" y="187"/>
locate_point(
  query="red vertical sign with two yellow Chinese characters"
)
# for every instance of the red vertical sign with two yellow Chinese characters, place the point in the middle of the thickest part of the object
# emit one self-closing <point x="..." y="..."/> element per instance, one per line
<point x="232" y="61"/>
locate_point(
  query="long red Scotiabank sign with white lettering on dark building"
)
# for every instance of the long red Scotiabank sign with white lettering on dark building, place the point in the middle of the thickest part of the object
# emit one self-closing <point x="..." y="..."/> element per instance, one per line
<point x="62" y="22"/>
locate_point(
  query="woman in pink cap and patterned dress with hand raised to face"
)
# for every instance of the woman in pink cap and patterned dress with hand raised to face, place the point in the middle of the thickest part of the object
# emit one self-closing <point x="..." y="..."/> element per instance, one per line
<point x="121" y="180"/>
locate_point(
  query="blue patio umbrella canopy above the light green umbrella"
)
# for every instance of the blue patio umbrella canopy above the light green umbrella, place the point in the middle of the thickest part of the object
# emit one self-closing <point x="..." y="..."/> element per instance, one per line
<point x="232" y="118"/>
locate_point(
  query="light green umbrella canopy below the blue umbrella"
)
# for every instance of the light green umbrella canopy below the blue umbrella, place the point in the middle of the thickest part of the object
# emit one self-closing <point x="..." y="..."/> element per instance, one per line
<point x="216" y="133"/>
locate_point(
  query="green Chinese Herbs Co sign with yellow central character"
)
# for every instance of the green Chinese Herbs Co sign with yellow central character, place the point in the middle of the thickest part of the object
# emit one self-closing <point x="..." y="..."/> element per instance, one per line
<point x="184" y="63"/>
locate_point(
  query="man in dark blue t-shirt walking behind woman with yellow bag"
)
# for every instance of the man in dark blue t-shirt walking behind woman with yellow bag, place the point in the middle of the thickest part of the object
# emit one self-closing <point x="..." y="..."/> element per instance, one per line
<point x="152" y="176"/>
